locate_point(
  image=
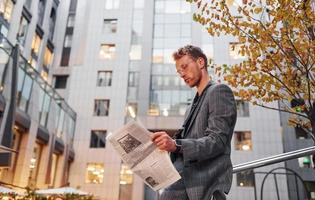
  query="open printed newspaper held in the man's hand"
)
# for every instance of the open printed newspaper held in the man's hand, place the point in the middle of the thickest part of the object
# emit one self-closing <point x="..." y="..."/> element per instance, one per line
<point x="133" y="144"/>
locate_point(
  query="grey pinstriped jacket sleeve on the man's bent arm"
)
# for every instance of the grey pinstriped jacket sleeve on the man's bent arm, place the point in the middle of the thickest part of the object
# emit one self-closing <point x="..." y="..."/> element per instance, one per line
<point x="217" y="136"/>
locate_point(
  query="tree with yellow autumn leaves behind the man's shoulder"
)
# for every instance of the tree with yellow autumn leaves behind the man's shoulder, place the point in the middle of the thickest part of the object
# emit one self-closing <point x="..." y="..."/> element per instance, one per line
<point x="277" y="39"/>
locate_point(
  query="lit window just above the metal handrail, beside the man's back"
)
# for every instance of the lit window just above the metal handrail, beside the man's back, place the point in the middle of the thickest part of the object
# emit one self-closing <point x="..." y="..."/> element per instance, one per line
<point x="243" y="140"/>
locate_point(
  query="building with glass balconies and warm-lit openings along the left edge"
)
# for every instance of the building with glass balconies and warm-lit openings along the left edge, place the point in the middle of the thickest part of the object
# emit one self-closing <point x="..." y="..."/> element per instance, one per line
<point x="41" y="140"/>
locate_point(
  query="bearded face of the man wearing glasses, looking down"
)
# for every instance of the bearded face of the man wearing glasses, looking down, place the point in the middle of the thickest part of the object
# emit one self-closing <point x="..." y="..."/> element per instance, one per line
<point x="189" y="70"/>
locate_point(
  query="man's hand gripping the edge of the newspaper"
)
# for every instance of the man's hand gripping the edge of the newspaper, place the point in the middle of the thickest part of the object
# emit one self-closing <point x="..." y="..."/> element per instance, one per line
<point x="163" y="141"/>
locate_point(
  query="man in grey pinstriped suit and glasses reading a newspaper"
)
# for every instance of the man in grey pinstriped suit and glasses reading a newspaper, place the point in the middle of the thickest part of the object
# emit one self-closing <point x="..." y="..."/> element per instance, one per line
<point x="201" y="150"/>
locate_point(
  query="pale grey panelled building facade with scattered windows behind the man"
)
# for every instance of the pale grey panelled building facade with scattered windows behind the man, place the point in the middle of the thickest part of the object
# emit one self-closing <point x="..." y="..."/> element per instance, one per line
<point x="115" y="64"/>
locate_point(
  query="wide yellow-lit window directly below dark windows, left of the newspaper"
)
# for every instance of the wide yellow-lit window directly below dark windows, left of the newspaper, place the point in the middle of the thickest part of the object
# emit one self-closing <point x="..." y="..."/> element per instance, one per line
<point x="94" y="173"/>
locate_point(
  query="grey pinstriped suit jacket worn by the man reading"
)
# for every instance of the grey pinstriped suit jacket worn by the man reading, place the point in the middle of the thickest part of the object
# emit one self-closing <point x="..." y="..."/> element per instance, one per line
<point x="205" y="164"/>
